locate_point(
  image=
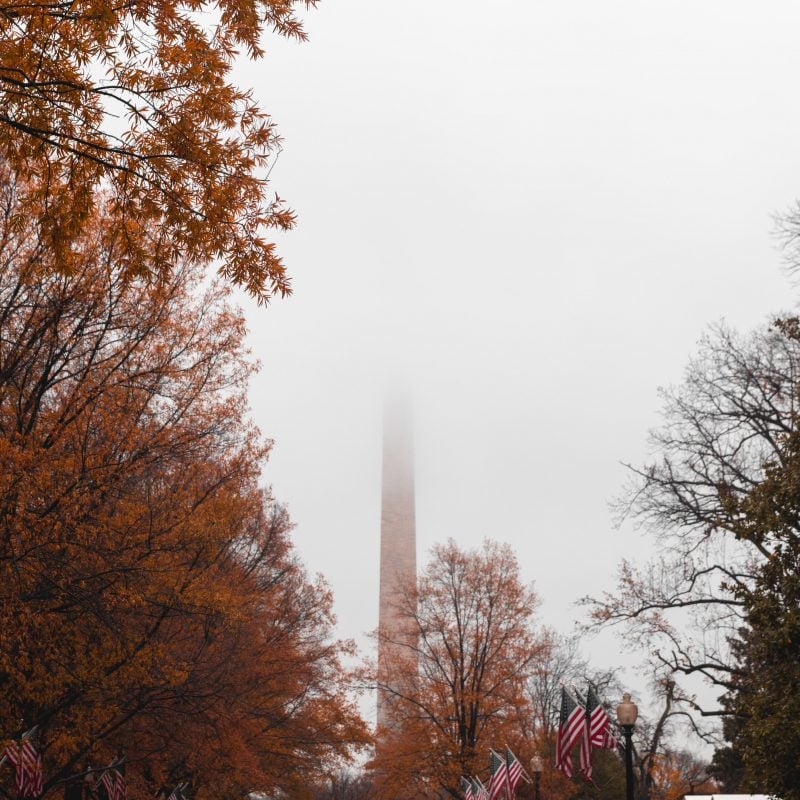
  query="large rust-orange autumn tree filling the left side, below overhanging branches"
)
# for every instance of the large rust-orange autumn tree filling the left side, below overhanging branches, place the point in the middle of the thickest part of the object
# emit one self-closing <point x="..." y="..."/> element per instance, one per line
<point x="151" y="602"/>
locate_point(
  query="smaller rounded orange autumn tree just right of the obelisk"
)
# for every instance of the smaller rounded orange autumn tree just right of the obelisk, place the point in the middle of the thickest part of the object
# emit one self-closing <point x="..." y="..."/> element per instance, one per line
<point x="458" y="684"/>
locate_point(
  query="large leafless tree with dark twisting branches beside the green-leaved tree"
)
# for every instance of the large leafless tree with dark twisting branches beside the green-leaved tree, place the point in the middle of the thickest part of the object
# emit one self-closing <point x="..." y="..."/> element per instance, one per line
<point x="721" y="425"/>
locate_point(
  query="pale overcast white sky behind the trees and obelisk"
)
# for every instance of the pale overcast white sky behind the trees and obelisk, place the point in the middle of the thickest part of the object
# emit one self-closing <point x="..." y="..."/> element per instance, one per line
<point x="532" y="210"/>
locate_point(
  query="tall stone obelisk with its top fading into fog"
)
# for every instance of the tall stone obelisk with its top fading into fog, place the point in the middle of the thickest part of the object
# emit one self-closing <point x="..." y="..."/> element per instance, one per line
<point x="398" y="548"/>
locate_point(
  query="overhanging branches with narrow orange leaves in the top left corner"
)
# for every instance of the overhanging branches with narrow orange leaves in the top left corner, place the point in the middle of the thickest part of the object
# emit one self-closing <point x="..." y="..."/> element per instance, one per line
<point x="136" y="98"/>
